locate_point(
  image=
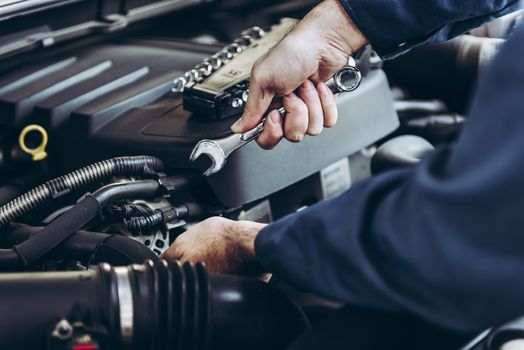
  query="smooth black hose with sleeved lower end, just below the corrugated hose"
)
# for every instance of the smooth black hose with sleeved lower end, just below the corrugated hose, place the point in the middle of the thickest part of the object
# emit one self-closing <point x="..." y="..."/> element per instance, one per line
<point x="74" y="219"/>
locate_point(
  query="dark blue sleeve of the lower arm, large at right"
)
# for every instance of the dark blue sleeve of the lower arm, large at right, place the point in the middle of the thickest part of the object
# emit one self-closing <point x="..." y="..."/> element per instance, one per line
<point x="443" y="240"/>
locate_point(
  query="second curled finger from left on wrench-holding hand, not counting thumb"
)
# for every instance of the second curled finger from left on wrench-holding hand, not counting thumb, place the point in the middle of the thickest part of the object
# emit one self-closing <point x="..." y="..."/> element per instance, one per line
<point x="297" y="120"/>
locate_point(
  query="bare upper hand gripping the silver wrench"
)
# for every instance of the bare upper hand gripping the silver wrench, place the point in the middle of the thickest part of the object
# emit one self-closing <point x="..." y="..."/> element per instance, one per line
<point x="296" y="70"/>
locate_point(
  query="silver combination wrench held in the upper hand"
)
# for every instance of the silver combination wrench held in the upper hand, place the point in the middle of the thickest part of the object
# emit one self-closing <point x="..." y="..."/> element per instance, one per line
<point x="345" y="80"/>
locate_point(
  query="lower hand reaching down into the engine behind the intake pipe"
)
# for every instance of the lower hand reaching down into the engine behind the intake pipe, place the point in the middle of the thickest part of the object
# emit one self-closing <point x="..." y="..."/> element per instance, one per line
<point x="225" y="246"/>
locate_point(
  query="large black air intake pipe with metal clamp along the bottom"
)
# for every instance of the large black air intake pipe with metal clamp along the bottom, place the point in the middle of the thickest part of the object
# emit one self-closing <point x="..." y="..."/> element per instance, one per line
<point x="145" y="307"/>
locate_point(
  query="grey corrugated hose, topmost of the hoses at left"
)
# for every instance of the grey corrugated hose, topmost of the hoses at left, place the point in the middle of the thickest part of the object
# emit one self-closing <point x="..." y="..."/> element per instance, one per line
<point x="140" y="165"/>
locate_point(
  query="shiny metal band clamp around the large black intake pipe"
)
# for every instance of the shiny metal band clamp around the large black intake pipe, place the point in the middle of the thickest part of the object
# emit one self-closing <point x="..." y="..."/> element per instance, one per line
<point x="125" y="297"/>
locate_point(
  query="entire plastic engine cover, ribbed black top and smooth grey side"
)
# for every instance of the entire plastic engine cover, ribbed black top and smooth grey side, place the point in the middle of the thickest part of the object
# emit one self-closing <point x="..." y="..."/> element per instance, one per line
<point x="115" y="99"/>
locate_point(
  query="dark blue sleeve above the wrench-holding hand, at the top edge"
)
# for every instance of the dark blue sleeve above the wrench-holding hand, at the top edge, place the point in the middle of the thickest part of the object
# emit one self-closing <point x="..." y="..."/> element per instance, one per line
<point x="396" y="26"/>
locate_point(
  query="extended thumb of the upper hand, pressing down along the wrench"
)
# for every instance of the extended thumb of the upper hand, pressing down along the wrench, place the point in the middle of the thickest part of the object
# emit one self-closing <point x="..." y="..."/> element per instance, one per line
<point x="258" y="100"/>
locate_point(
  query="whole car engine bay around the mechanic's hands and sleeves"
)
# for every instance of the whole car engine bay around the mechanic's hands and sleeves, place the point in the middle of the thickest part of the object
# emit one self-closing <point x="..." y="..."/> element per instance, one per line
<point x="96" y="180"/>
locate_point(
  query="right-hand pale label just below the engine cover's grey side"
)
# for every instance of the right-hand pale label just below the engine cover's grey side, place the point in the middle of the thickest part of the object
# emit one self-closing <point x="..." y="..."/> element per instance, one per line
<point x="335" y="179"/>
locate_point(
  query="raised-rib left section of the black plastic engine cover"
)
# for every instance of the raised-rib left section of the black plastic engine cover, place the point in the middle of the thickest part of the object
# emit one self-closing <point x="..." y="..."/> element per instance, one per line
<point x="117" y="76"/>
